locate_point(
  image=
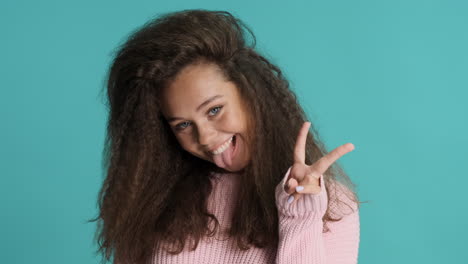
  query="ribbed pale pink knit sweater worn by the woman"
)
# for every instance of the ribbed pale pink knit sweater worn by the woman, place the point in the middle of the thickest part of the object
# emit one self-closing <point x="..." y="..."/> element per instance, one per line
<point x="300" y="232"/>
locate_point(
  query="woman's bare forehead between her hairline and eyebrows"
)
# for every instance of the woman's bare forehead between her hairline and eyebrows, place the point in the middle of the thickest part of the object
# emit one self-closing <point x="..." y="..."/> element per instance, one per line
<point x="194" y="84"/>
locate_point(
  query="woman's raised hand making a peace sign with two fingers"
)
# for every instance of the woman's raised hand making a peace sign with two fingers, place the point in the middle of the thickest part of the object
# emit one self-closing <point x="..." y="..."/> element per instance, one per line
<point x="304" y="178"/>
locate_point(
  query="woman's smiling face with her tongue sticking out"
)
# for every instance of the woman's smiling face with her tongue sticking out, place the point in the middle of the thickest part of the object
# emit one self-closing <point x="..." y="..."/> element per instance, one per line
<point x="208" y="116"/>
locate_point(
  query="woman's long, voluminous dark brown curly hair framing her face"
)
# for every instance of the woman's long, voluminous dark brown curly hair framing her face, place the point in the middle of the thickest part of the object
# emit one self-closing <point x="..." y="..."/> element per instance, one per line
<point x="156" y="192"/>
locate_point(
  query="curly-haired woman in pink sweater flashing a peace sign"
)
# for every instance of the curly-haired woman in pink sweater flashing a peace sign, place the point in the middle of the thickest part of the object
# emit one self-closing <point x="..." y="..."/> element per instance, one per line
<point x="208" y="157"/>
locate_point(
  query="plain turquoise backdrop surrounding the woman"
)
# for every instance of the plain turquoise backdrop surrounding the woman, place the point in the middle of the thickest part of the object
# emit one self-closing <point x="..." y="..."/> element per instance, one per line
<point x="389" y="76"/>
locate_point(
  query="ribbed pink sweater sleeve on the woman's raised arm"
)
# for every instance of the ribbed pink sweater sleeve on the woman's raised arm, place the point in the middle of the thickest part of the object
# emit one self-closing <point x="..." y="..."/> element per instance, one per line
<point x="301" y="239"/>
